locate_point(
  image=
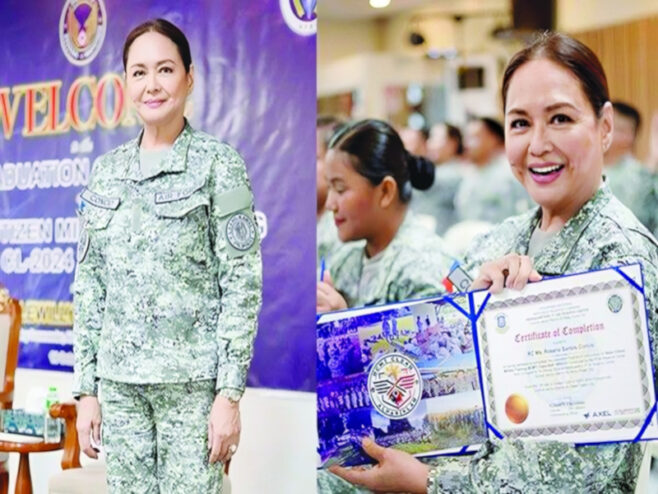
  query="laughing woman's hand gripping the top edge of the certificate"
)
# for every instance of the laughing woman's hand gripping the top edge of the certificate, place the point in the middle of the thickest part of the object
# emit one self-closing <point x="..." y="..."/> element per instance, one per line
<point x="512" y="271"/>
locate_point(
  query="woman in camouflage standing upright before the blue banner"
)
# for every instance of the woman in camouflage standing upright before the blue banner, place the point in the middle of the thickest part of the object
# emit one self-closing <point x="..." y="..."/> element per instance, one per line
<point x="167" y="287"/>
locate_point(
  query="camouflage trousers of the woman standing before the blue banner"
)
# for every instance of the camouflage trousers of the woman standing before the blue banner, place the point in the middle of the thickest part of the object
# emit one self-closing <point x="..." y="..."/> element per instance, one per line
<point x="156" y="438"/>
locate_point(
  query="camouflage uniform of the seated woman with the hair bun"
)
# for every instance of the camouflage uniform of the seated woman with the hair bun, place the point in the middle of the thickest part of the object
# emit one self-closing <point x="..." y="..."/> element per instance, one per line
<point x="411" y="266"/>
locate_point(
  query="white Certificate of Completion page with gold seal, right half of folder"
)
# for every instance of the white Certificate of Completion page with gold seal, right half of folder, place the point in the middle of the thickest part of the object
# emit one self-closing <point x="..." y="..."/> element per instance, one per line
<point x="568" y="359"/>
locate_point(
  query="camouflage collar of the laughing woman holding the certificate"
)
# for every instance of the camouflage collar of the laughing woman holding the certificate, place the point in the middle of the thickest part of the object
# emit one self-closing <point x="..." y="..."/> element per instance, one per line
<point x="555" y="256"/>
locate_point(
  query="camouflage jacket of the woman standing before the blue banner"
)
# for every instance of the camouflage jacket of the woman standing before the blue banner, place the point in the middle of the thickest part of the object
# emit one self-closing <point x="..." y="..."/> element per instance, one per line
<point x="168" y="280"/>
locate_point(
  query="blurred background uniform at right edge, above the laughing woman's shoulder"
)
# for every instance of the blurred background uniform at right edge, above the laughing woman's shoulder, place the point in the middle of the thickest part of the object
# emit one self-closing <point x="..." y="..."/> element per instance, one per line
<point x="632" y="183"/>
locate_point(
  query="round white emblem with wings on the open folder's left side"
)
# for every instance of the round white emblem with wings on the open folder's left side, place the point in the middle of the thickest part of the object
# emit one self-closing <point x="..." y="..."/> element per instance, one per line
<point x="395" y="386"/>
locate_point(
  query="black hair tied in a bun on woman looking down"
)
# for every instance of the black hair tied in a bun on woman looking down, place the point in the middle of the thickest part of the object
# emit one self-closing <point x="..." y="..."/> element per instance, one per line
<point x="377" y="152"/>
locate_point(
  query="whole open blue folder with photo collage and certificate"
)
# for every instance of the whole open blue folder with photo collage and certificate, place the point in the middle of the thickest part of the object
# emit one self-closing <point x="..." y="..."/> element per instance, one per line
<point x="441" y="375"/>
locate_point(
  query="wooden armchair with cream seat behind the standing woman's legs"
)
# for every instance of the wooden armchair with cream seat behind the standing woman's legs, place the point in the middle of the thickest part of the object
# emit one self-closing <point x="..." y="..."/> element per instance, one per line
<point x="75" y="478"/>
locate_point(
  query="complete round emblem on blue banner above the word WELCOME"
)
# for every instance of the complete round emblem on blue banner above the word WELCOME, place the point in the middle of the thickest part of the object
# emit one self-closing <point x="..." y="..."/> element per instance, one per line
<point x="82" y="30"/>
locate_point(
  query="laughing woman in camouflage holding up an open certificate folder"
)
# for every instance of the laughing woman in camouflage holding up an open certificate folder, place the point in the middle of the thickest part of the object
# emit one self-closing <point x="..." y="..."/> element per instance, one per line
<point x="558" y="123"/>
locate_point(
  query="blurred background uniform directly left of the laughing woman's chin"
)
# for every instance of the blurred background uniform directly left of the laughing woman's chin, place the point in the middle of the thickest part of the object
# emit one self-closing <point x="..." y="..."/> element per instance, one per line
<point x="491" y="193"/>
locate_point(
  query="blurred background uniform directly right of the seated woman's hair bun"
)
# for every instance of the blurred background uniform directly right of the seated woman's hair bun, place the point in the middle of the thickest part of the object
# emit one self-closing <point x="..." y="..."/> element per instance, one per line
<point x="439" y="200"/>
